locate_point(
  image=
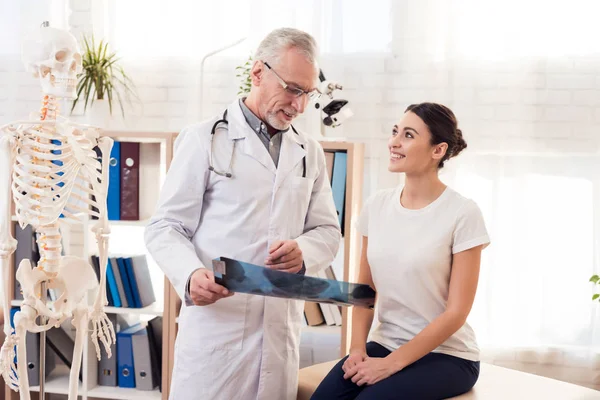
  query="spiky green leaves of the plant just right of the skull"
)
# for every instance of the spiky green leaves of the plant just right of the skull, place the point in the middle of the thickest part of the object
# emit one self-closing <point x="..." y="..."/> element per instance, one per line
<point x="102" y="79"/>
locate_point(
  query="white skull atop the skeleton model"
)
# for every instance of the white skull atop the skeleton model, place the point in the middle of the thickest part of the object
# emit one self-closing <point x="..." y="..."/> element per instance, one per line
<point x="53" y="55"/>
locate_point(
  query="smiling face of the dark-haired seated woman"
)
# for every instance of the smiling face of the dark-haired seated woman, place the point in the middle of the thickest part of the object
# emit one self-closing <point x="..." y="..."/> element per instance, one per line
<point x="411" y="149"/>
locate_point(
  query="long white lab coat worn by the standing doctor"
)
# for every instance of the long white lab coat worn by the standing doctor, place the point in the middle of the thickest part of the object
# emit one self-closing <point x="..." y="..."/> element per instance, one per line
<point x="244" y="346"/>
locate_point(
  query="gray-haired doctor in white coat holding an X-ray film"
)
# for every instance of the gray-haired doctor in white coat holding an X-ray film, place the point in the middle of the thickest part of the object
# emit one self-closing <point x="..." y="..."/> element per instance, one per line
<point x="255" y="189"/>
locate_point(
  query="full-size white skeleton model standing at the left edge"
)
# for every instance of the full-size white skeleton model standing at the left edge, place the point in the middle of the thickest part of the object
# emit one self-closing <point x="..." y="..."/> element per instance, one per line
<point x="54" y="171"/>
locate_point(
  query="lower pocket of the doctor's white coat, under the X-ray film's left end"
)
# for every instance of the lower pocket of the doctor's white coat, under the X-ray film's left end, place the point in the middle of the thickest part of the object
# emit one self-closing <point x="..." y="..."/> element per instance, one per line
<point x="219" y="326"/>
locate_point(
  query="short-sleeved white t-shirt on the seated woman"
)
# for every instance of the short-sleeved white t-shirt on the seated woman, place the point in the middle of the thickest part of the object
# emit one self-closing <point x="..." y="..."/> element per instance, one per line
<point x="410" y="255"/>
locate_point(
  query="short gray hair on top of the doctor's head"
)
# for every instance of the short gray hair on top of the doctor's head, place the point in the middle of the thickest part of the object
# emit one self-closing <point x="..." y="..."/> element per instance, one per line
<point x="275" y="43"/>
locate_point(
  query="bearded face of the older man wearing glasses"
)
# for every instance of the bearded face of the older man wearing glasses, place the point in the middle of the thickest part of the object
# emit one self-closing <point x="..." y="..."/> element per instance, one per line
<point x="276" y="105"/>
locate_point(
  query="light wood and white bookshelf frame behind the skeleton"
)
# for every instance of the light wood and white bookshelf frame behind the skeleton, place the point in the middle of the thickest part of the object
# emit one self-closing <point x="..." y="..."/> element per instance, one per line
<point x="156" y="152"/>
